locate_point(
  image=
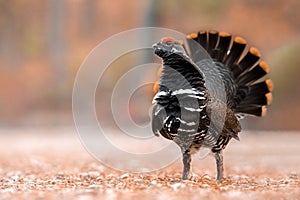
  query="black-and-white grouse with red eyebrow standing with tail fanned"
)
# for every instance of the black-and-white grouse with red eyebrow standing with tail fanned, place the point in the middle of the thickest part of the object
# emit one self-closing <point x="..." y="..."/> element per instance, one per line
<point x="206" y="86"/>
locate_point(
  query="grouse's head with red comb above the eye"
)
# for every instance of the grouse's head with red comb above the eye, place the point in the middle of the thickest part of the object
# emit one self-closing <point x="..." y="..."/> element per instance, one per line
<point x="168" y="46"/>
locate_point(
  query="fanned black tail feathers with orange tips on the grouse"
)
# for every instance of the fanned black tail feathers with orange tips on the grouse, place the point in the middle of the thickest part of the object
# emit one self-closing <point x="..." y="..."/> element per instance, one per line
<point x="252" y="96"/>
